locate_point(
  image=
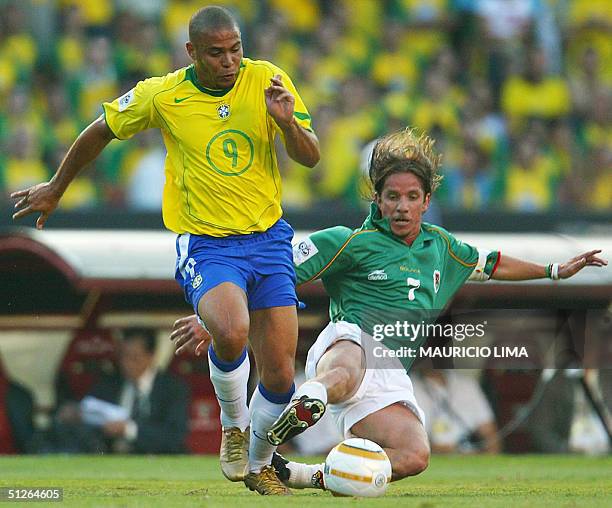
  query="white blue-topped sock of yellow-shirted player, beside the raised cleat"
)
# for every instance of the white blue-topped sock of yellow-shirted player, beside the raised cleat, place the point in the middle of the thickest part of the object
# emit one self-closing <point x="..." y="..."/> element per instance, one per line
<point x="265" y="408"/>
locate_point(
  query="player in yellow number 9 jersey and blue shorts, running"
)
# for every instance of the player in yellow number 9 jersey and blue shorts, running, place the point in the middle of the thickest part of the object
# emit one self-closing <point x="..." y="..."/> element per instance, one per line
<point x="219" y="118"/>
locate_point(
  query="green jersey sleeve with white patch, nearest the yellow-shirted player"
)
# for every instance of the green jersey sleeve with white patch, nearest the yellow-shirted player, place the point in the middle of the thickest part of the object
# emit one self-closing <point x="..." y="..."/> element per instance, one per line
<point x="322" y="254"/>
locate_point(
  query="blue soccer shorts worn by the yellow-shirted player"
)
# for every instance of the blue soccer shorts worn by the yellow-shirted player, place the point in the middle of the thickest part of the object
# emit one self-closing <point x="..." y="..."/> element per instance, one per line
<point x="259" y="263"/>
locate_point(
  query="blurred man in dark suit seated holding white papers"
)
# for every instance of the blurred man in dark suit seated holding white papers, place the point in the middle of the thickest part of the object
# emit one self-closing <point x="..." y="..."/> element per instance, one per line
<point x="157" y="402"/>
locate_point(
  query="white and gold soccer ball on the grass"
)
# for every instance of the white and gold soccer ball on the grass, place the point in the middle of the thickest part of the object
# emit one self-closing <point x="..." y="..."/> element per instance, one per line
<point x="357" y="467"/>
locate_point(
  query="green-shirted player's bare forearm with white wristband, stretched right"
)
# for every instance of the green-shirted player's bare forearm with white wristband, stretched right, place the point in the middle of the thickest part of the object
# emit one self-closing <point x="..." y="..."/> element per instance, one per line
<point x="516" y="269"/>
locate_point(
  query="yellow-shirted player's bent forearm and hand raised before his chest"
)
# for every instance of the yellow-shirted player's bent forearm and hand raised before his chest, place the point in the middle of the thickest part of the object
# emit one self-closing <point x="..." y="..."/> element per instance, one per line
<point x="301" y="144"/>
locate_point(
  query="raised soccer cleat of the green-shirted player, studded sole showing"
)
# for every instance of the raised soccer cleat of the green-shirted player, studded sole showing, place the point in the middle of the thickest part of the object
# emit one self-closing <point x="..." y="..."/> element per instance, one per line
<point x="295" y="419"/>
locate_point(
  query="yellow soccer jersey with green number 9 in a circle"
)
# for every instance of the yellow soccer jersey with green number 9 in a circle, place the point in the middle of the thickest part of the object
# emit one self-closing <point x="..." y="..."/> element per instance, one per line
<point x="222" y="175"/>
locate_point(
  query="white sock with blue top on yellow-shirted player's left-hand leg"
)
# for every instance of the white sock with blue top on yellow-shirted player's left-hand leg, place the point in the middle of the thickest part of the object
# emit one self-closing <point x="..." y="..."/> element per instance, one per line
<point x="230" y="381"/>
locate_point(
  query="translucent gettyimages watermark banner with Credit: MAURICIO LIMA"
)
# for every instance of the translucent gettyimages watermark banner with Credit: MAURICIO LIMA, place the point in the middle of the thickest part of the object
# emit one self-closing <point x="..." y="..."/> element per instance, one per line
<point x="492" y="339"/>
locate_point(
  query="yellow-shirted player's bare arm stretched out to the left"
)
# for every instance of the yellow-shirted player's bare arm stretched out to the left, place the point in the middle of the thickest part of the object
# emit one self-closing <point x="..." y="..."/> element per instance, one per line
<point x="44" y="197"/>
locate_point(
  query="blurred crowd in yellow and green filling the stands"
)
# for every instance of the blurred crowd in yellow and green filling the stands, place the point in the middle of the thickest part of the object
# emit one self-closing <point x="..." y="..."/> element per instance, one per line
<point x="516" y="93"/>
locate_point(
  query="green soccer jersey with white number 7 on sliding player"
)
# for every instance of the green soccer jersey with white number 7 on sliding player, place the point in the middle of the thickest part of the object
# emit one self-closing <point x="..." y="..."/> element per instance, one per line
<point x="373" y="278"/>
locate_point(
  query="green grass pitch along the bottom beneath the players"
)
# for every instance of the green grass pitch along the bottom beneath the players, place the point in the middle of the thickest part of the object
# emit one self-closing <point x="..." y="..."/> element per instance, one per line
<point x="468" y="481"/>
